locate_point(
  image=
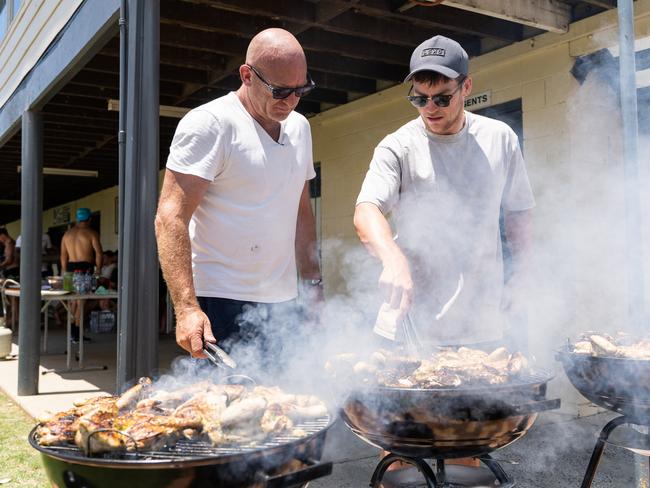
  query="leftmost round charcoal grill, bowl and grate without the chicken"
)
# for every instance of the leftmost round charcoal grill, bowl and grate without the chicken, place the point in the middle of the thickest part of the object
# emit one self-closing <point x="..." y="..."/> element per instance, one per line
<point x="279" y="461"/>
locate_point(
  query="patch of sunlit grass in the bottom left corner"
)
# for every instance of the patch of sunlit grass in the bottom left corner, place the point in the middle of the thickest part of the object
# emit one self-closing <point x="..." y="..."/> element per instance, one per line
<point x="20" y="464"/>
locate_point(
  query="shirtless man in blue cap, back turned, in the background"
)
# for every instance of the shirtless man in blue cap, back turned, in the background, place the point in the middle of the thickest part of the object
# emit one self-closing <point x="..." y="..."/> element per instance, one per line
<point x="81" y="250"/>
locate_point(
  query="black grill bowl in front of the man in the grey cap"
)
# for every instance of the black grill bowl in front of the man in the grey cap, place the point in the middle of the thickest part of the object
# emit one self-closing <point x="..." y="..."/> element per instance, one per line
<point x="446" y="422"/>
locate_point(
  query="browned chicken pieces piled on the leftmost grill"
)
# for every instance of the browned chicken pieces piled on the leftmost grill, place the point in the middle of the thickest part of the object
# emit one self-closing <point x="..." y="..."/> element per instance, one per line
<point x="144" y="418"/>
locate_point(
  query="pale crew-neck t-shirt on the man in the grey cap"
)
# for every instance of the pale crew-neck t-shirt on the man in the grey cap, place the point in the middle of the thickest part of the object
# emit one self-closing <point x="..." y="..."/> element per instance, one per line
<point x="445" y="194"/>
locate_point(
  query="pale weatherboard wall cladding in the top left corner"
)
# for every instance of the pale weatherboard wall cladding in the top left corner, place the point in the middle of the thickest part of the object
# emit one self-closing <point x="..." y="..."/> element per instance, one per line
<point x="32" y="30"/>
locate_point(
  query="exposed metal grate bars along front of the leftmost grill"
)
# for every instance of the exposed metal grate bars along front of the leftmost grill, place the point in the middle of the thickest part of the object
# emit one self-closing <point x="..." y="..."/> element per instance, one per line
<point x="186" y="449"/>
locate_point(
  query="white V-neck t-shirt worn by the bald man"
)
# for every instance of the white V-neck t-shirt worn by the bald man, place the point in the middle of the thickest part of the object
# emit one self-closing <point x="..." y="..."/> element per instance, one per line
<point x="243" y="230"/>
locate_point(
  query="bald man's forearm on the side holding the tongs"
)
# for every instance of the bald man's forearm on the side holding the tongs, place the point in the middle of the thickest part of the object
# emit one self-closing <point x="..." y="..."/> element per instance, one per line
<point x="175" y="253"/>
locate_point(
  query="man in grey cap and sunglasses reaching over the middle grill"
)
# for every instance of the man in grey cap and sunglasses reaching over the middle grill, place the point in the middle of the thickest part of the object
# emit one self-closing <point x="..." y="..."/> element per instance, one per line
<point x="445" y="177"/>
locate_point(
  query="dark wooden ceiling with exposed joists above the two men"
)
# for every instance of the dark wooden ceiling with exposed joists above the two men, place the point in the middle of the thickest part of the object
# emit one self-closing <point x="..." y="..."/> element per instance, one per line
<point x="353" y="48"/>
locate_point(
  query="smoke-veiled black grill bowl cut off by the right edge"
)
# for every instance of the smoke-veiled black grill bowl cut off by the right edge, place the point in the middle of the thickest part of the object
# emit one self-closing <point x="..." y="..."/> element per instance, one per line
<point x="618" y="384"/>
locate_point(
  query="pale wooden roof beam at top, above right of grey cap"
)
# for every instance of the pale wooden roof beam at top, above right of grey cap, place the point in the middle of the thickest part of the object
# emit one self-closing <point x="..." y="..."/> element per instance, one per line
<point x="550" y="15"/>
